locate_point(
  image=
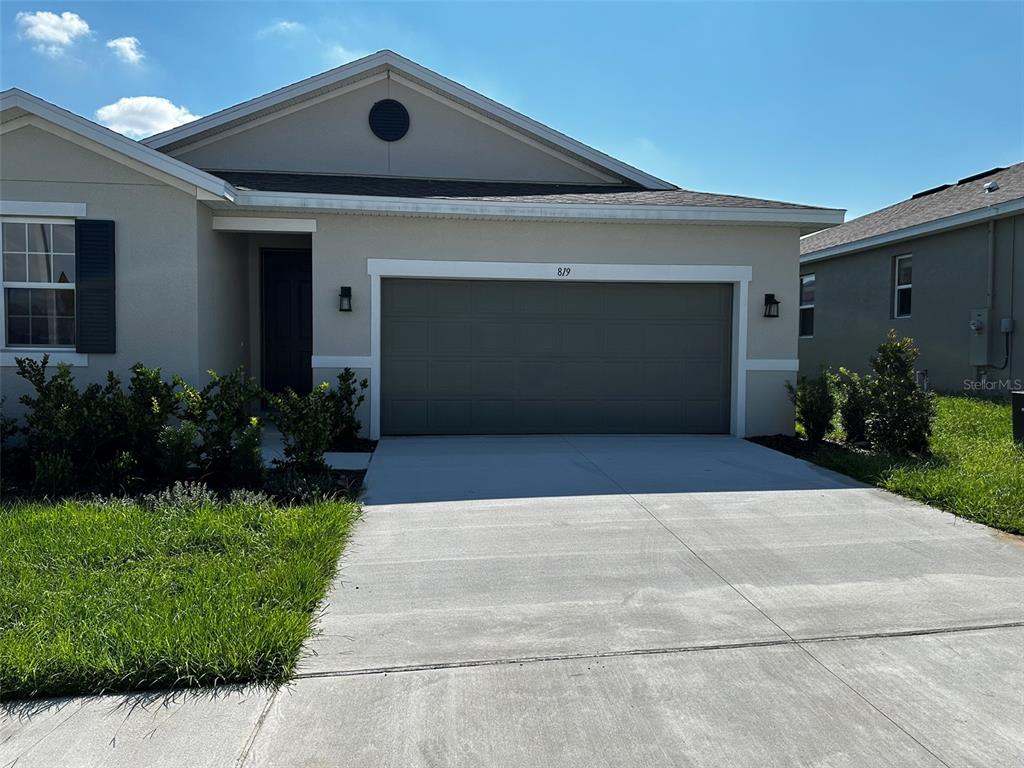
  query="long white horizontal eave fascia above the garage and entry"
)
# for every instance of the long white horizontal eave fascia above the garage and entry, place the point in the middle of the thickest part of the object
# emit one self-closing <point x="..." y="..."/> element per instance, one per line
<point x="799" y="218"/>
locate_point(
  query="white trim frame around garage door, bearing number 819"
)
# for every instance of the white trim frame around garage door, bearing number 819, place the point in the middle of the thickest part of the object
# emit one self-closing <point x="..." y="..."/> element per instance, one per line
<point x="740" y="277"/>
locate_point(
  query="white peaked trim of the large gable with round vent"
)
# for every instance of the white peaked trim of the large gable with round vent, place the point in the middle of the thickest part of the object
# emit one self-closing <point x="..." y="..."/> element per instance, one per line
<point x="418" y="76"/>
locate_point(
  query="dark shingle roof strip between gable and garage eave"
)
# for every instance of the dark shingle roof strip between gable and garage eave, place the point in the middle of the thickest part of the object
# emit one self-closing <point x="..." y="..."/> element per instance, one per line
<point x="500" y="192"/>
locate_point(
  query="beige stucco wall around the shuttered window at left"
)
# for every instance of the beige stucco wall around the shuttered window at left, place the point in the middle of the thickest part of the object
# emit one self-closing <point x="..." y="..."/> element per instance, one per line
<point x="157" y="277"/>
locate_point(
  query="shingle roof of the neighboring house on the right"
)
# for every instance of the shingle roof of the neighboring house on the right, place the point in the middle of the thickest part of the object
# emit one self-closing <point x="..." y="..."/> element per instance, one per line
<point x="950" y="201"/>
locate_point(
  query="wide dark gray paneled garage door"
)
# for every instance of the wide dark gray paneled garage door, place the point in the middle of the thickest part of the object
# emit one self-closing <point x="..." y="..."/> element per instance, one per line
<point x="499" y="358"/>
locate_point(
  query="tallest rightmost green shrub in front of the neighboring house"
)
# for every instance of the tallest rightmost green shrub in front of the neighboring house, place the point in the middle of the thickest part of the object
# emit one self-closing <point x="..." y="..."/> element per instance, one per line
<point x="902" y="410"/>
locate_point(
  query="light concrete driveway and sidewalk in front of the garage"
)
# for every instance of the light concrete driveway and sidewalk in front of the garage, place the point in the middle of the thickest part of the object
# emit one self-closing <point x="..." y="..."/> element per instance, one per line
<point x="611" y="602"/>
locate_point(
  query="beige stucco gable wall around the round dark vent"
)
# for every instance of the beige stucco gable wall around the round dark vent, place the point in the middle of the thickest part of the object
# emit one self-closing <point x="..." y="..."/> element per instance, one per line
<point x="333" y="136"/>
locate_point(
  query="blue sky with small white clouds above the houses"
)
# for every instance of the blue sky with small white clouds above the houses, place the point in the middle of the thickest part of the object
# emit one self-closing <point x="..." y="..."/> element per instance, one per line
<point x="852" y="106"/>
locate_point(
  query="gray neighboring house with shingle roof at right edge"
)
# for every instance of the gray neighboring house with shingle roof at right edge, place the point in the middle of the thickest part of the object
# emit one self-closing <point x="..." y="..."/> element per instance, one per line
<point x="946" y="268"/>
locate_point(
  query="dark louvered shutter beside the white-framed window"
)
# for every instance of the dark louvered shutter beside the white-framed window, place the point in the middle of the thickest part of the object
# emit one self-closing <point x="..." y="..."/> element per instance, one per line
<point x="95" y="286"/>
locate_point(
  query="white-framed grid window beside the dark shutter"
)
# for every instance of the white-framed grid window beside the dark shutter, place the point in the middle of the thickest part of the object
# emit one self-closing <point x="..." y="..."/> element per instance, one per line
<point x="39" y="284"/>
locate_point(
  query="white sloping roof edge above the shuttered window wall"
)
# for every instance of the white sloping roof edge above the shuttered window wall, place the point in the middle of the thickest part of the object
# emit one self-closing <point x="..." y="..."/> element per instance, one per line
<point x="17" y="105"/>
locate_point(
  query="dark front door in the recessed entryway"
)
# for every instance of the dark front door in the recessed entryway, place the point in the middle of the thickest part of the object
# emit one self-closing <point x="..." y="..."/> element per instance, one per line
<point x="288" y="321"/>
